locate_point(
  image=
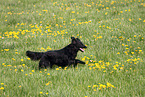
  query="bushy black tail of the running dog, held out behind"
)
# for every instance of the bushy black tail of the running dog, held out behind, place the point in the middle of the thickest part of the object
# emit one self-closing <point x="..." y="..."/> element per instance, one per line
<point x="34" y="55"/>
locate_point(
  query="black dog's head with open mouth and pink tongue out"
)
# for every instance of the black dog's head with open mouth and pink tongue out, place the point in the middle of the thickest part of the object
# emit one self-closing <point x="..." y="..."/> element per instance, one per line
<point x="78" y="44"/>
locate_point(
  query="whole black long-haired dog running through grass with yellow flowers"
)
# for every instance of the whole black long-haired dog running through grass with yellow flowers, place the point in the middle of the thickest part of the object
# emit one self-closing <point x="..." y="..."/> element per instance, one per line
<point x="63" y="57"/>
